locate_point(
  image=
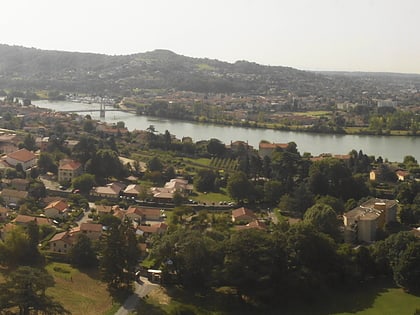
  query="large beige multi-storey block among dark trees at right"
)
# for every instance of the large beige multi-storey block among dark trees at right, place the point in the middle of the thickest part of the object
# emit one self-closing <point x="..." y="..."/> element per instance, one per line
<point x="362" y="222"/>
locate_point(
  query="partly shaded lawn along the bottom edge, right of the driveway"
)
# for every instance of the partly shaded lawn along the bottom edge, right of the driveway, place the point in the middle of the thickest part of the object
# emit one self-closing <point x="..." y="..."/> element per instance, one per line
<point x="374" y="299"/>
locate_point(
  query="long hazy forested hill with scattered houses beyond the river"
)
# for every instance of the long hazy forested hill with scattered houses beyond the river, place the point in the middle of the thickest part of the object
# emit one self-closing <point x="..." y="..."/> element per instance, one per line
<point x="29" y="68"/>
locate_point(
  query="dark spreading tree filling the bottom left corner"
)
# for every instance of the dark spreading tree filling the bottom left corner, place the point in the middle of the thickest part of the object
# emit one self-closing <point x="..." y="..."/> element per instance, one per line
<point x="25" y="288"/>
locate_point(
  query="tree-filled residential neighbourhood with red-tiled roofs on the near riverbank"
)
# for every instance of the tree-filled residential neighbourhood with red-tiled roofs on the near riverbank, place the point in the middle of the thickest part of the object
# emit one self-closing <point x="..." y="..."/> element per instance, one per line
<point x="132" y="206"/>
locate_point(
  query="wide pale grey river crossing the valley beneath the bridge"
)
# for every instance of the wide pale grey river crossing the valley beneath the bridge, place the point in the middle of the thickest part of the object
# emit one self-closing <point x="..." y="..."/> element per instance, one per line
<point x="393" y="148"/>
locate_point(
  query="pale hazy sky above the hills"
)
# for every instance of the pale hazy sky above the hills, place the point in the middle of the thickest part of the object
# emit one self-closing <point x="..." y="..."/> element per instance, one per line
<point x="356" y="35"/>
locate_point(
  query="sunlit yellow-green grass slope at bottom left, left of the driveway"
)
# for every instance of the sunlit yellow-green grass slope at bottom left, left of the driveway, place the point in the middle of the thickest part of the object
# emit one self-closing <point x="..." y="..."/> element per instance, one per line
<point x="80" y="292"/>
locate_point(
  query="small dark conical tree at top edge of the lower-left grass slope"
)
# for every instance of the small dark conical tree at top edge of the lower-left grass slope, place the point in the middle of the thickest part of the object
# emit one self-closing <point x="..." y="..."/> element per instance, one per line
<point x="82" y="253"/>
